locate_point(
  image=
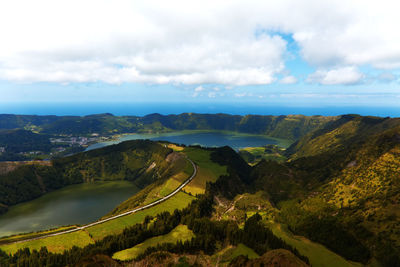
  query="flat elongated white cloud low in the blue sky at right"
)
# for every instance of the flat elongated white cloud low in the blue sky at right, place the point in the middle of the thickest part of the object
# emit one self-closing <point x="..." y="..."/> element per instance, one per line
<point x="345" y="75"/>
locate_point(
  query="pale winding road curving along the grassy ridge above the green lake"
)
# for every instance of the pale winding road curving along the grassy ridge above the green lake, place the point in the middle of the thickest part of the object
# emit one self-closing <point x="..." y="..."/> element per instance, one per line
<point x="122" y="214"/>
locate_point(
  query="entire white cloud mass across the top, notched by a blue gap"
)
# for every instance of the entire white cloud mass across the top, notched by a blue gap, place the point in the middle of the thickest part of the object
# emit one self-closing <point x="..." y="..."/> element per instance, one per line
<point x="207" y="42"/>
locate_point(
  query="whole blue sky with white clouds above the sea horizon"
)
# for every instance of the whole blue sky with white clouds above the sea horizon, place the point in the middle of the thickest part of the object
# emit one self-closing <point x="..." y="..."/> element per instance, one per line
<point x="298" y="53"/>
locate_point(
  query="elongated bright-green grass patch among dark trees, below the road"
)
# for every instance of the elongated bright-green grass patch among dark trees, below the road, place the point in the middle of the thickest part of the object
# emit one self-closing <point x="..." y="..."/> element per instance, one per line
<point x="181" y="232"/>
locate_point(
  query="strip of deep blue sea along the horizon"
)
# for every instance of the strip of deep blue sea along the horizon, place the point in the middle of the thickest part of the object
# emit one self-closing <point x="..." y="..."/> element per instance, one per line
<point x="140" y="109"/>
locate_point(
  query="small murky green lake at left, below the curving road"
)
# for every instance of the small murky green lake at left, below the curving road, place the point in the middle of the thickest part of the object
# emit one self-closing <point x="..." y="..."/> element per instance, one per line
<point x="75" y="204"/>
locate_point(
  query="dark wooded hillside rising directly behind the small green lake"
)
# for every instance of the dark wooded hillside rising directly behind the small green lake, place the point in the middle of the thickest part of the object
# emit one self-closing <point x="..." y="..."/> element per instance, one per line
<point x="142" y="162"/>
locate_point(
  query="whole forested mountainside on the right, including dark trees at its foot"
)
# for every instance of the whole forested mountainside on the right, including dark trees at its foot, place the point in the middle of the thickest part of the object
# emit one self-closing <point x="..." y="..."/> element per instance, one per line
<point x="340" y="187"/>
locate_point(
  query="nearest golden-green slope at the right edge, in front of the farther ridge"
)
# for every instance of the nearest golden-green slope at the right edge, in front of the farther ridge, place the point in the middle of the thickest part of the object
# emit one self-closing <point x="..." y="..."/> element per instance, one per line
<point x="360" y="201"/>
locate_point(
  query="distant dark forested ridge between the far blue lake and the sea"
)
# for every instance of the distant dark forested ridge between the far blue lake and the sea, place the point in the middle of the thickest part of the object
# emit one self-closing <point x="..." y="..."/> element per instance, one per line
<point x="287" y="127"/>
